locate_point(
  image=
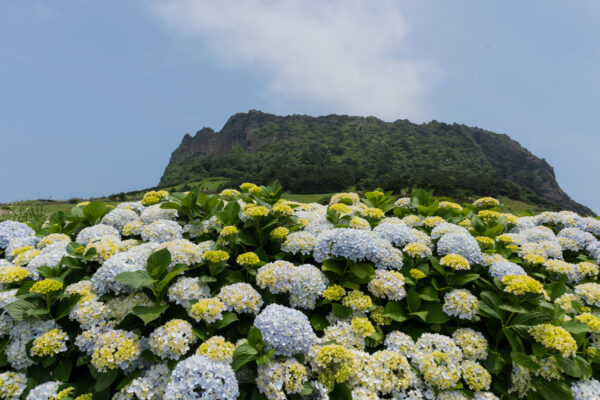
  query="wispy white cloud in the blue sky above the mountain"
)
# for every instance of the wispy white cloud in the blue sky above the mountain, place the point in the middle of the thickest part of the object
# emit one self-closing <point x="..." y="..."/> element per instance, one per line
<point x="344" y="56"/>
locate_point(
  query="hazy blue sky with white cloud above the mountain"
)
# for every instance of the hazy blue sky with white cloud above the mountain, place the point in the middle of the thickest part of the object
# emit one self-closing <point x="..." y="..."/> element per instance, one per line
<point x="95" y="95"/>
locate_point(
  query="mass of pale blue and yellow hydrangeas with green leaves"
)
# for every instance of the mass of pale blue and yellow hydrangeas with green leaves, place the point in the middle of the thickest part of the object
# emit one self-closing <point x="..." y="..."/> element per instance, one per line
<point x="244" y="295"/>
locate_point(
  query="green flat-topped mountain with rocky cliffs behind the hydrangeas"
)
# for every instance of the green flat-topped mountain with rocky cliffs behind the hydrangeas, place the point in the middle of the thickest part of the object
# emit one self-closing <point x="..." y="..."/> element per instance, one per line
<point x="331" y="153"/>
